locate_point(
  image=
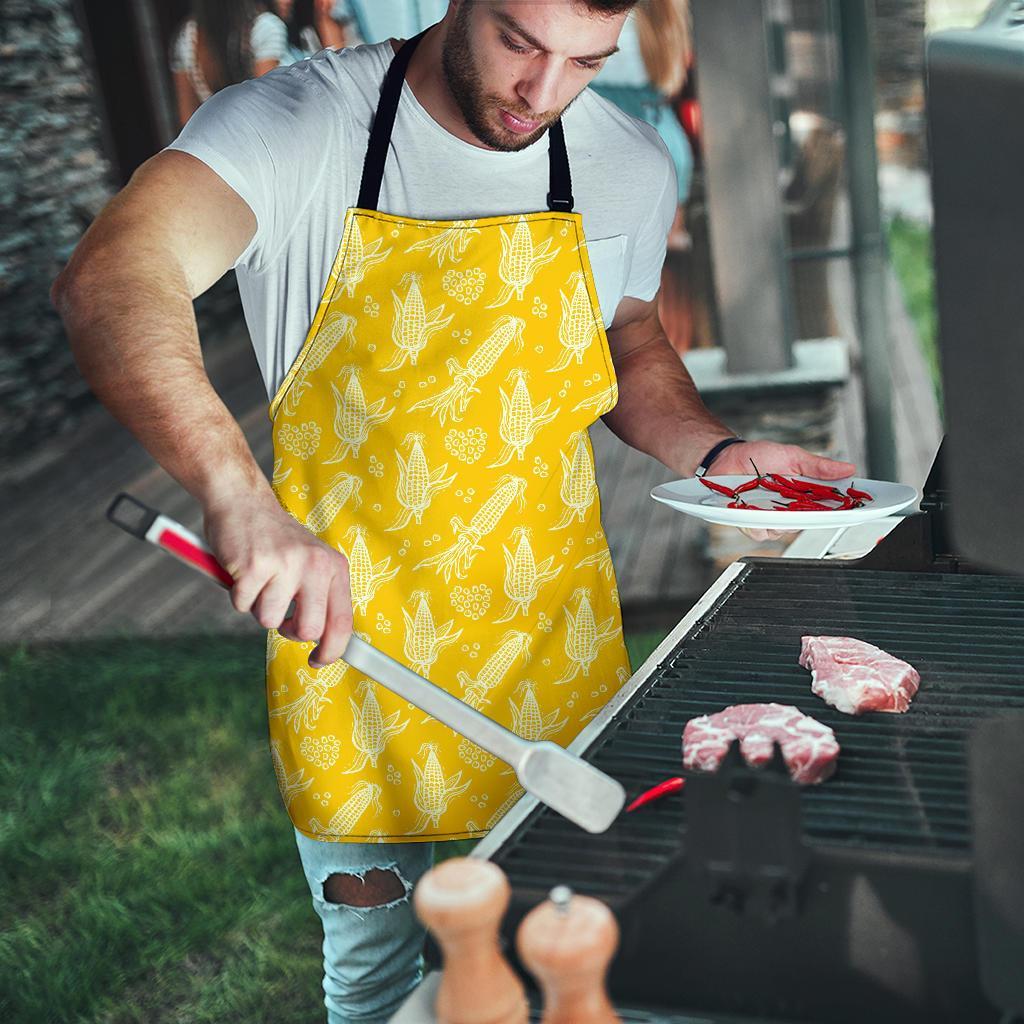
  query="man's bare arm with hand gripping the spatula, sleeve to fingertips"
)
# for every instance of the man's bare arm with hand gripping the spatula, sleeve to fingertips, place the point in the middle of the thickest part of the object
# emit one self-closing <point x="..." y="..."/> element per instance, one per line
<point x="126" y="300"/>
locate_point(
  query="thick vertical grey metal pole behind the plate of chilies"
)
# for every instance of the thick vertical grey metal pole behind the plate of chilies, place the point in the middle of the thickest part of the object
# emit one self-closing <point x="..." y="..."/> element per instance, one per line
<point x="868" y="240"/>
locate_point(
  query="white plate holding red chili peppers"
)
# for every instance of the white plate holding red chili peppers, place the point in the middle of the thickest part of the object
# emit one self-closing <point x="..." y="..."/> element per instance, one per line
<point x="692" y="497"/>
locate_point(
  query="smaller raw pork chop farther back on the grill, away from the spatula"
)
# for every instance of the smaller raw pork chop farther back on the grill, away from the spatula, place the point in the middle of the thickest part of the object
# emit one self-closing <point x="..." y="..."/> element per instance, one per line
<point x="856" y="677"/>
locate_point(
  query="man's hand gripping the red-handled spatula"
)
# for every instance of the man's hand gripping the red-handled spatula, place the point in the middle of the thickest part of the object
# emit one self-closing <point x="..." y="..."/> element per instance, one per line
<point x="274" y="562"/>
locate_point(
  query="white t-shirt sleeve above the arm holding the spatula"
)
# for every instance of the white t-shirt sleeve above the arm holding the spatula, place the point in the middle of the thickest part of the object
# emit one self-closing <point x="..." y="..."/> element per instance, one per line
<point x="269" y="140"/>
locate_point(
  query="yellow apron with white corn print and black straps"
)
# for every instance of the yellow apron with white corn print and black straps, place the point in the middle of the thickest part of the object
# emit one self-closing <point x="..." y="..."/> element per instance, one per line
<point x="434" y="429"/>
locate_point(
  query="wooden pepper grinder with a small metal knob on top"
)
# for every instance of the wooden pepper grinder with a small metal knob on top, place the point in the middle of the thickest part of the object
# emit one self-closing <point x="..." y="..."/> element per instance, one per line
<point x="568" y="943"/>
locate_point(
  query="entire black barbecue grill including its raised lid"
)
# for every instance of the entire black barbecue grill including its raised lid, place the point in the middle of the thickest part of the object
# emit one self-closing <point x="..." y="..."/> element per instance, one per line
<point x="893" y="891"/>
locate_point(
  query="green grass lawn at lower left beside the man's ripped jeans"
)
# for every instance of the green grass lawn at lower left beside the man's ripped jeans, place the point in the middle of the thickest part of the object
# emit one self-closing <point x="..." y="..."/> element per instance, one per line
<point x="149" y="869"/>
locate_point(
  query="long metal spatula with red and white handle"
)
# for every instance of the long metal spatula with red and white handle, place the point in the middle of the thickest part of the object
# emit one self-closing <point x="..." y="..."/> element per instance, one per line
<point x="564" y="782"/>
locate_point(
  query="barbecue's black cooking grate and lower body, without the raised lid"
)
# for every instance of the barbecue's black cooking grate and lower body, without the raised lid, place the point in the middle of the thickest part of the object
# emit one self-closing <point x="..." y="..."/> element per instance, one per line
<point x="749" y="897"/>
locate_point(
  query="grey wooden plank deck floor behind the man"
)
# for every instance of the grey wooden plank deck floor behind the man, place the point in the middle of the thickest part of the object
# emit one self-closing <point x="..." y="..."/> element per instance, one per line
<point x="68" y="573"/>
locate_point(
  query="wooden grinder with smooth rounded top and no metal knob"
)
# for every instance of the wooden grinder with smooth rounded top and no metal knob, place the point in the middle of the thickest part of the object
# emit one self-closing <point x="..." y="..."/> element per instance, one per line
<point x="462" y="903"/>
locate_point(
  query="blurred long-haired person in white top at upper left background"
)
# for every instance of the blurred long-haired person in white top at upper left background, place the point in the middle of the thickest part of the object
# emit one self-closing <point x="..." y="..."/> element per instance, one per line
<point x="222" y="44"/>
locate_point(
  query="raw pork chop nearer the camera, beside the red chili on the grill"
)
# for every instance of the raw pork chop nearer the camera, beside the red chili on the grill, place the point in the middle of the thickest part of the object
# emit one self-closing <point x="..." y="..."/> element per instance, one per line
<point x="809" y="748"/>
